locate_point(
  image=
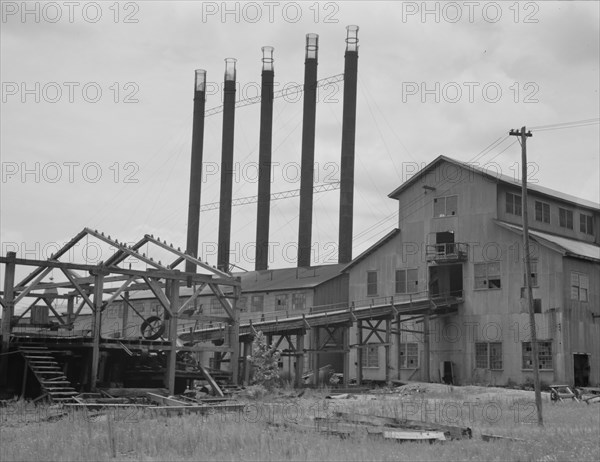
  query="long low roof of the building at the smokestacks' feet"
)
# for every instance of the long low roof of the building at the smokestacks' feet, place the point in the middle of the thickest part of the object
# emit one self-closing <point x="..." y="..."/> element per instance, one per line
<point x="271" y="280"/>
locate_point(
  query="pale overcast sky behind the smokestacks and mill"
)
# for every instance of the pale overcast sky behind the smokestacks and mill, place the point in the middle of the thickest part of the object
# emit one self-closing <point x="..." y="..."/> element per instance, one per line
<point x="97" y="105"/>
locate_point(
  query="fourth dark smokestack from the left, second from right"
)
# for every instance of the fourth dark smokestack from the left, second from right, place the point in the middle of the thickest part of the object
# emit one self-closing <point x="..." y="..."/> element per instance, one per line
<point x="308" y="150"/>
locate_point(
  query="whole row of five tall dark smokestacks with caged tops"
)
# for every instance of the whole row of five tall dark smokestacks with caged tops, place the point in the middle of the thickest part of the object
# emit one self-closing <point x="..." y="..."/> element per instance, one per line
<point x="265" y="154"/>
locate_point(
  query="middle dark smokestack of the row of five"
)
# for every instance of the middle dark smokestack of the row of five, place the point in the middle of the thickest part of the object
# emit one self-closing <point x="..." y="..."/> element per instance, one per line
<point x="264" y="161"/>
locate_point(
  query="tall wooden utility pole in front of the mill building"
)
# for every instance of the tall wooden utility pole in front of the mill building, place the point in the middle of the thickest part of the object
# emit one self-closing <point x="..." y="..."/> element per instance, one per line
<point x="523" y="134"/>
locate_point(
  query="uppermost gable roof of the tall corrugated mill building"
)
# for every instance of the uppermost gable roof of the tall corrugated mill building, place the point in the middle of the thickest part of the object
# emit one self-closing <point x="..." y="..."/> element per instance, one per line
<point x="498" y="177"/>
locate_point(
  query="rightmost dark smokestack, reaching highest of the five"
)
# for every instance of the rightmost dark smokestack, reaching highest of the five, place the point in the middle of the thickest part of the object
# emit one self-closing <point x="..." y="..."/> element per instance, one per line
<point x="348" y="142"/>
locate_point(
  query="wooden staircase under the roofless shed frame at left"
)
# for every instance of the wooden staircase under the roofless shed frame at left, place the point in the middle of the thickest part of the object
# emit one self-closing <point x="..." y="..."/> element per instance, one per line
<point x="48" y="373"/>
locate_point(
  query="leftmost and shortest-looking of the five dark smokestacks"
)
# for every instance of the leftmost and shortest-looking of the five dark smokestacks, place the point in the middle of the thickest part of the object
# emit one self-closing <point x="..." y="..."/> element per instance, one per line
<point x="196" y="167"/>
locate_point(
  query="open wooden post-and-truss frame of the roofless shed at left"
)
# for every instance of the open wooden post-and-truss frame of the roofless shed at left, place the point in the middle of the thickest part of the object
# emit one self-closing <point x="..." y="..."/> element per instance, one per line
<point x="94" y="285"/>
